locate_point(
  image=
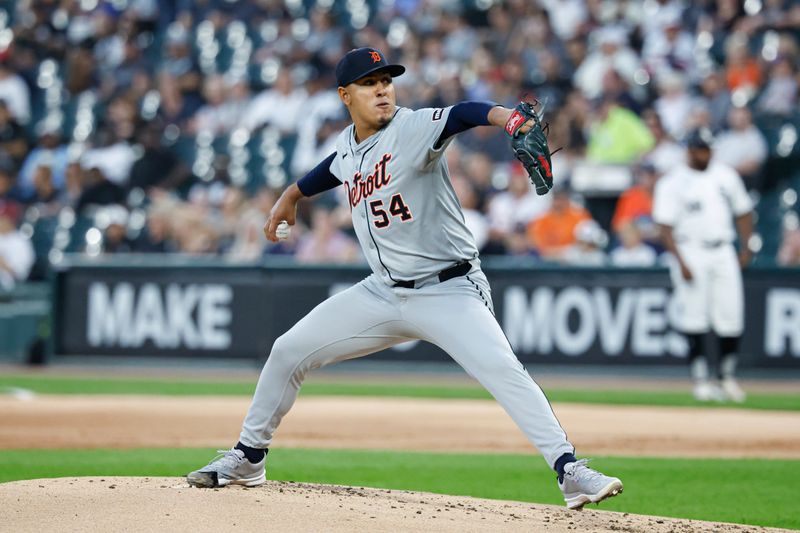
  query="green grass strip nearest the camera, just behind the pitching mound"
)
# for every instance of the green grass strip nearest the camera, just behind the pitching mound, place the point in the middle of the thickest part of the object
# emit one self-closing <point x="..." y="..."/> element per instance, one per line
<point x="747" y="491"/>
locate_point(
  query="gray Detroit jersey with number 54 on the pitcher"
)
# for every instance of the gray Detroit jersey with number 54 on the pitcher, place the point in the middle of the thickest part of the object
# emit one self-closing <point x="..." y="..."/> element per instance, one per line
<point x="405" y="212"/>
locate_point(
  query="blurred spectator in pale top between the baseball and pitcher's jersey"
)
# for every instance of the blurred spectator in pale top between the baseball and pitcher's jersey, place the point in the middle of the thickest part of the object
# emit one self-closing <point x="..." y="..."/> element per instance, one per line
<point x="325" y="243"/>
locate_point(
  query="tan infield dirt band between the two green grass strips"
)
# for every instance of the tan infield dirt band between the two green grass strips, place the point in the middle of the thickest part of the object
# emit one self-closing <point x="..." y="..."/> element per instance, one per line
<point x="412" y="424"/>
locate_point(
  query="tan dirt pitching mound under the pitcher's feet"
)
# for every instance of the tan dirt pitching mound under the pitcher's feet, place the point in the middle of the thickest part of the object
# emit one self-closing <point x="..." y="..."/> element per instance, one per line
<point x="168" y="504"/>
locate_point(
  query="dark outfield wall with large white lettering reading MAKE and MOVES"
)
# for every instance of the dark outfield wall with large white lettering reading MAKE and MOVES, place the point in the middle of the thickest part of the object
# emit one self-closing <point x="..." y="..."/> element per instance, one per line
<point x="167" y="307"/>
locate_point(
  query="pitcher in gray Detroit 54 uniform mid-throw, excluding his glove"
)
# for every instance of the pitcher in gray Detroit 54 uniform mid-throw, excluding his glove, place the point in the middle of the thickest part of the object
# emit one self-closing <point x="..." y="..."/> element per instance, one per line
<point x="427" y="282"/>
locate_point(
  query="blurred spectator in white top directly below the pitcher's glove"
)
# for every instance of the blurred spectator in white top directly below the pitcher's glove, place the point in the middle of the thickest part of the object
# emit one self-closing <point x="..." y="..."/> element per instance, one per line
<point x="510" y="211"/>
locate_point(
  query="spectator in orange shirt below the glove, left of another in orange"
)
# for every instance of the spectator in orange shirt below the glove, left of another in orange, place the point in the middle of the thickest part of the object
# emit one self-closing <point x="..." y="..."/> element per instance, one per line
<point x="552" y="233"/>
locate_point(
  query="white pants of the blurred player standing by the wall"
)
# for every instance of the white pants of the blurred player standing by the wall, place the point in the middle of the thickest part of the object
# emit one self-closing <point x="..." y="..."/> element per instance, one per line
<point x="714" y="298"/>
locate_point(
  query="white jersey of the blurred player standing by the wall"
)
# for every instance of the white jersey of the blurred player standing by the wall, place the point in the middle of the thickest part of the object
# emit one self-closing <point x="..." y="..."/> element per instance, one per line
<point x="701" y="205"/>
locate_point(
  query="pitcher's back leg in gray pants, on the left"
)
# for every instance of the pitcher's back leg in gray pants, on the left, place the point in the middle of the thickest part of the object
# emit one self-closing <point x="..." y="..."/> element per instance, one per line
<point x="350" y="324"/>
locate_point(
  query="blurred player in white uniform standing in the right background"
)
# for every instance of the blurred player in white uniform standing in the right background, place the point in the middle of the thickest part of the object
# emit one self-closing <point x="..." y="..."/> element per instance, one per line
<point x="696" y="206"/>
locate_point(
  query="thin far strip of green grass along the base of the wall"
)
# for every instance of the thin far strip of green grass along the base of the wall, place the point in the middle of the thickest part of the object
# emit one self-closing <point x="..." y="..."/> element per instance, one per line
<point x="70" y="385"/>
